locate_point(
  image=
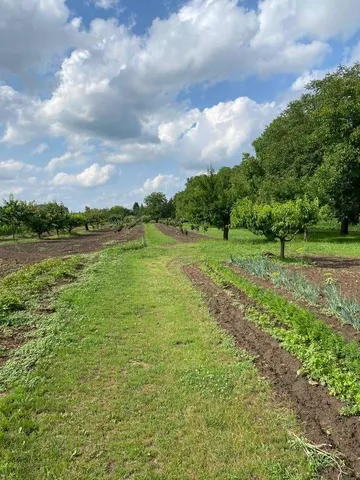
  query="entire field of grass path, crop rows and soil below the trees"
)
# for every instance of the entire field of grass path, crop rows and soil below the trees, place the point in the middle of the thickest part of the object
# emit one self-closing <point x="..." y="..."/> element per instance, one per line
<point x="163" y="360"/>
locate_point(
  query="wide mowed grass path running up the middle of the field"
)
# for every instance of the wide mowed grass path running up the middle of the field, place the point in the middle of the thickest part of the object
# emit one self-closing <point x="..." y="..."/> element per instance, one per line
<point x="147" y="387"/>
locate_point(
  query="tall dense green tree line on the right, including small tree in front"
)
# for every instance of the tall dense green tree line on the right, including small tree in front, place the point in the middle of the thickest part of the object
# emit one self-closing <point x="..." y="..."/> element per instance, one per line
<point x="306" y="163"/>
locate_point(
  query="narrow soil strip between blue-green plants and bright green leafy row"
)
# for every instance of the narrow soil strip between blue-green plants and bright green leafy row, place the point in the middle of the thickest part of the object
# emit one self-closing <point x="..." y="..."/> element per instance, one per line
<point x="347" y="331"/>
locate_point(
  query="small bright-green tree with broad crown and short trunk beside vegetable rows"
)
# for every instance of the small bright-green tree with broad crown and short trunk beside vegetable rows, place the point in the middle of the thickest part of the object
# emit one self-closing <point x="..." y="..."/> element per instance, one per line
<point x="276" y="220"/>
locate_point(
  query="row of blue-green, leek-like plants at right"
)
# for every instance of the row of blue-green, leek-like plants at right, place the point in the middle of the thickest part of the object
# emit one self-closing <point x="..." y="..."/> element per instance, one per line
<point x="346" y="309"/>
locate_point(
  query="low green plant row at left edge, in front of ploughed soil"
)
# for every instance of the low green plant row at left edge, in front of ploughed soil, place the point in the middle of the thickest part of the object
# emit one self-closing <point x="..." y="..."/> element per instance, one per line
<point x="20" y="287"/>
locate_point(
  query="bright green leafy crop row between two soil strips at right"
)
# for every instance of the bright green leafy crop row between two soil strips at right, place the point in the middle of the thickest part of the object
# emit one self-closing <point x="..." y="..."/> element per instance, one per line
<point x="326" y="356"/>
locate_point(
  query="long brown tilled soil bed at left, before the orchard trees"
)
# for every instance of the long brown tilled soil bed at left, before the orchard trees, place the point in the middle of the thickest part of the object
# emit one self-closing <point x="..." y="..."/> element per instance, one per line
<point x="15" y="255"/>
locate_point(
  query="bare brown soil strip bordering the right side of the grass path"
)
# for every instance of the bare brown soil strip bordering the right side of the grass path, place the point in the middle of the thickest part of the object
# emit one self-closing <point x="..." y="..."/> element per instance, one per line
<point x="314" y="407"/>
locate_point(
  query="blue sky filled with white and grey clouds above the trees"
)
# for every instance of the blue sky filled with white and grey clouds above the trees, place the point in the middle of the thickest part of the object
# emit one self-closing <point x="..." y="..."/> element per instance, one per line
<point x="105" y="101"/>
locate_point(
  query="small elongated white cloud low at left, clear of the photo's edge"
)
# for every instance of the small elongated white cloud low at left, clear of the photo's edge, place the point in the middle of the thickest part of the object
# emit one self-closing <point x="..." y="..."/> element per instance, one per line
<point x="90" y="177"/>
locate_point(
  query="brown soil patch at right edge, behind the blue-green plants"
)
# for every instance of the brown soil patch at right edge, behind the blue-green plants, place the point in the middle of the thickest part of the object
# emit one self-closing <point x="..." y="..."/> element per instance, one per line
<point x="345" y="271"/>
